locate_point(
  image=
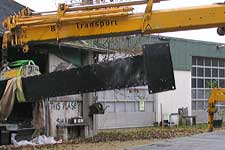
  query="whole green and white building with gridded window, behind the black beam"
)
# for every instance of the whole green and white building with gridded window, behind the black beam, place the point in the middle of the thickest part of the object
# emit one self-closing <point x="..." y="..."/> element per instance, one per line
<point x="198" y="66"/>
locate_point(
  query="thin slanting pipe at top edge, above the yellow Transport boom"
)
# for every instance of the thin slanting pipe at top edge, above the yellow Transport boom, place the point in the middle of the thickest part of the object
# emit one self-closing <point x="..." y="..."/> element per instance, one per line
<point x="97" y="6"/>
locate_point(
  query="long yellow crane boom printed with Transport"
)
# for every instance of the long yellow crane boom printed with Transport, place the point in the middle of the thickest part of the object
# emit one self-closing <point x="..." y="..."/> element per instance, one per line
<point x="106" y="20"/>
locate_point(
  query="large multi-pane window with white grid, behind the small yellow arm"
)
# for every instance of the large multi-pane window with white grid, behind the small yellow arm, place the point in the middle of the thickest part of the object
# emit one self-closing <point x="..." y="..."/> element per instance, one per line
<point x="206" y="74"/>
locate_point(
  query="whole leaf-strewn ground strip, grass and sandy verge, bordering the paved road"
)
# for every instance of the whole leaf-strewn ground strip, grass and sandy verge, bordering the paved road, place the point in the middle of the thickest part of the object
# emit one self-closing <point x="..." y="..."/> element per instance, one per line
<point x="118" y="139"/>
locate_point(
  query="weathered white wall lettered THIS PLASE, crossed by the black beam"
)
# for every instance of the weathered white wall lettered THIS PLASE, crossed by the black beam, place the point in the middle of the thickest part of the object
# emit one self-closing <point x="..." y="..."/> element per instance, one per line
<point x="63" y="108"/>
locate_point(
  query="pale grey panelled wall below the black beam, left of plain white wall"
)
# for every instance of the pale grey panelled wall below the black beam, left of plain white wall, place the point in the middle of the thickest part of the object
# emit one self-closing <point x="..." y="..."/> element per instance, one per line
<point x="132" y="107"/>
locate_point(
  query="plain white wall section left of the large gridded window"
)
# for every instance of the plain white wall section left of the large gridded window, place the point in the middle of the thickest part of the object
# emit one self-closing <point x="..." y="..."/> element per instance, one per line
<point x="172" y="100"/>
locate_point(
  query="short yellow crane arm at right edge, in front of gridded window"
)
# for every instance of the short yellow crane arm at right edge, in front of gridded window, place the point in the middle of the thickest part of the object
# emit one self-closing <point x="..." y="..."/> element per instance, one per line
<point x="217" y="95"/>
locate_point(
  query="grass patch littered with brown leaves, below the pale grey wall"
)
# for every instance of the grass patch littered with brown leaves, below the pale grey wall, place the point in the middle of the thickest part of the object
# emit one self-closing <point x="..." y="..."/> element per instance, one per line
<point x="148" y="133"/>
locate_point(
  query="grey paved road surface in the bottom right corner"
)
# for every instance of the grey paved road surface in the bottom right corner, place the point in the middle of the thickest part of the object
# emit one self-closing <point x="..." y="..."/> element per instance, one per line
<point x="206" y="141"/>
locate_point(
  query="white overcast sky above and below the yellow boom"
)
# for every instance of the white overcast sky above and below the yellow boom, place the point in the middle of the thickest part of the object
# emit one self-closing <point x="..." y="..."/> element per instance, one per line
<point x="204" y="34"/>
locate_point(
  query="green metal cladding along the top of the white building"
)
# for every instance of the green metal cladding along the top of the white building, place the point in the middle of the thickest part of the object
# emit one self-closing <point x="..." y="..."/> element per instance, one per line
<point x="182" y="50"/>
